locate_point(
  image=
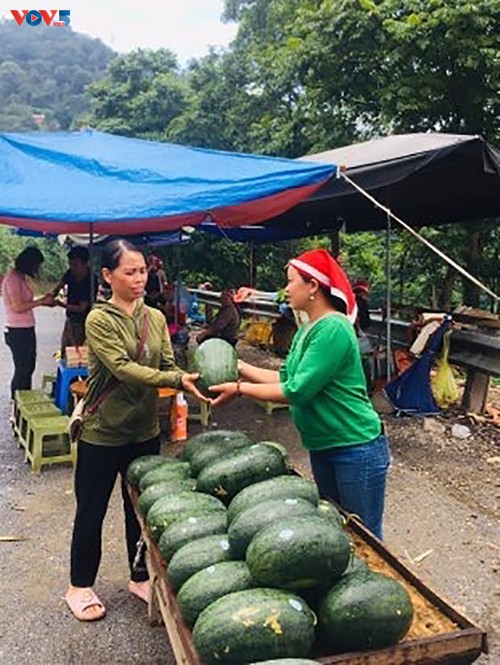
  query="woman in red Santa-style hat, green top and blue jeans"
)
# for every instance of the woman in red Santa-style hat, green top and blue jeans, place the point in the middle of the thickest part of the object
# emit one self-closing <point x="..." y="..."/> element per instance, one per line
<point x="322" y="380"/>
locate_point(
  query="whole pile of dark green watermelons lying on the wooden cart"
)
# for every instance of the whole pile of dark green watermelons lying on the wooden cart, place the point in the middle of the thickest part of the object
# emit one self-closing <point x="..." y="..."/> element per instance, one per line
<point x="262" y="568"/>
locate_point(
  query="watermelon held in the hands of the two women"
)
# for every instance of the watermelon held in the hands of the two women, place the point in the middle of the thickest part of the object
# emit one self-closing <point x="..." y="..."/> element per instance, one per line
<point x="217" y="362"/>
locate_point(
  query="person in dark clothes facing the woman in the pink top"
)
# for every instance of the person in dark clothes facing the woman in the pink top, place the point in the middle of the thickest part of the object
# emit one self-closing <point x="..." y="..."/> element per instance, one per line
<point x="78" y="299"/>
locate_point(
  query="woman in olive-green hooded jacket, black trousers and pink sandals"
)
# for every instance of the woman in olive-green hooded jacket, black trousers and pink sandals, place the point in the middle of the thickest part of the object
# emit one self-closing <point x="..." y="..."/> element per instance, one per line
<point x="130" y="357"/>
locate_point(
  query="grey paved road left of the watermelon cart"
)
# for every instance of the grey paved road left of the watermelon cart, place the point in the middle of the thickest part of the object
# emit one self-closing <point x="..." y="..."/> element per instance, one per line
<point x="35" y="626"/>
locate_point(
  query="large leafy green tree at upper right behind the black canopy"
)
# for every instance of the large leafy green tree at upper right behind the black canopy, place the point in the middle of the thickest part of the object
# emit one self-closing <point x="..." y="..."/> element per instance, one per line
<point x="358" y="69"/>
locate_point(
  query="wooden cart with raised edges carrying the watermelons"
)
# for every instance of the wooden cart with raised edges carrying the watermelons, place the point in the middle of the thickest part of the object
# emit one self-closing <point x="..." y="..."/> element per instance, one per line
<point x="439" y="635"/>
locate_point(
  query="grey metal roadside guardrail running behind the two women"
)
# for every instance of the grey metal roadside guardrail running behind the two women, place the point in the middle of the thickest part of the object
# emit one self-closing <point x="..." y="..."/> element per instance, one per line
<point x="469" y="349"/>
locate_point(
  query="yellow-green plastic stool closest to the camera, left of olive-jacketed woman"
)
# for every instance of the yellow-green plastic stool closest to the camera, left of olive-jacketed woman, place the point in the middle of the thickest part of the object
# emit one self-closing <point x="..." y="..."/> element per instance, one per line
<point x="48" y="442"/>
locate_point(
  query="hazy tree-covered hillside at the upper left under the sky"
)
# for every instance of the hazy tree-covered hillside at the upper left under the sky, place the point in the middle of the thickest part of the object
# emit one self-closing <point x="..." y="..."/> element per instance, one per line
<point x="43" y="73"/>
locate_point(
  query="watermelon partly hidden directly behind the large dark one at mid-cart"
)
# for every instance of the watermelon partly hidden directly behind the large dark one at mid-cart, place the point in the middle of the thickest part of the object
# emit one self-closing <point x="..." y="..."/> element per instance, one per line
<point x="244" y="527"/>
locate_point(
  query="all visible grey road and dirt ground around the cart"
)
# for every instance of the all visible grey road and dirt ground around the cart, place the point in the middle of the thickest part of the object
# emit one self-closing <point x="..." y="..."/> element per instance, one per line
<point x="442" y="520"/>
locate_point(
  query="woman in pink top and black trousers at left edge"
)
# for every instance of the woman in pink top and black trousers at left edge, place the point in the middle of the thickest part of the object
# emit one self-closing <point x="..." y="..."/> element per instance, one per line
<point x="19" y="303"/>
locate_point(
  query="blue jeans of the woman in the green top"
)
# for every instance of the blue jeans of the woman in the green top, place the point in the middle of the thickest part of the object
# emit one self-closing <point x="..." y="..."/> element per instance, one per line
<point x="355" y="477"/>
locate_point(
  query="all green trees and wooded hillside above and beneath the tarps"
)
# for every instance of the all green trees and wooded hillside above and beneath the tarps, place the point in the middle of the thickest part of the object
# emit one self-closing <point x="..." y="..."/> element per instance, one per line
<point x="301" y="76"/>
